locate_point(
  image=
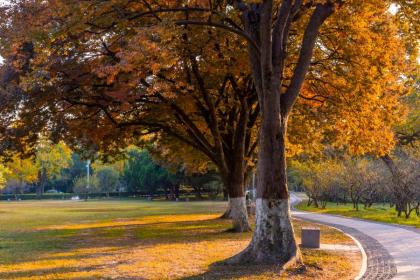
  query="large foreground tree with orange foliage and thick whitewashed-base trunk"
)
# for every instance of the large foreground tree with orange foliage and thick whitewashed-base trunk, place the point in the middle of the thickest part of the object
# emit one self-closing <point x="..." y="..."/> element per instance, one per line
<point x="282" y="40"/>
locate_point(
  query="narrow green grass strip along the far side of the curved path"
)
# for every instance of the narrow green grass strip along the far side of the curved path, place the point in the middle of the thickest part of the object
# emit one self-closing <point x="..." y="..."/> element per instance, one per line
<point x="378" y="212"/>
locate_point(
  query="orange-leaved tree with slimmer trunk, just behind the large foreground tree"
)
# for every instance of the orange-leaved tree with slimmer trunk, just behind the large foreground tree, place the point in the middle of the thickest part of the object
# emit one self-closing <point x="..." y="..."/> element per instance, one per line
<point x="182" y="92"/>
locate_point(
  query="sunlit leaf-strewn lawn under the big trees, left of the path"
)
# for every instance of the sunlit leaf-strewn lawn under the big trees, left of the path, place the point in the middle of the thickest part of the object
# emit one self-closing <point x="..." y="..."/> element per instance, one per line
<point x="141" y="240"/>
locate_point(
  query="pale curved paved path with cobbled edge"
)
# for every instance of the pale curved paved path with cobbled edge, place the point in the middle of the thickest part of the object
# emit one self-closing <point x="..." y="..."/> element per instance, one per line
<point x="393" y="252"/>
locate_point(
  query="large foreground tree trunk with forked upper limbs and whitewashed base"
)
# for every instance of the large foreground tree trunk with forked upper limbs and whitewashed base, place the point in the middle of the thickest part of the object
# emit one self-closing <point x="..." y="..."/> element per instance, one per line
<point x="273" y="240"/>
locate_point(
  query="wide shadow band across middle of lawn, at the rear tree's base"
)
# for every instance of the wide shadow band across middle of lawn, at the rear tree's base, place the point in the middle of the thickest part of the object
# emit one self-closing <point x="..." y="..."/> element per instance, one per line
<point x="43" y="244"/>
